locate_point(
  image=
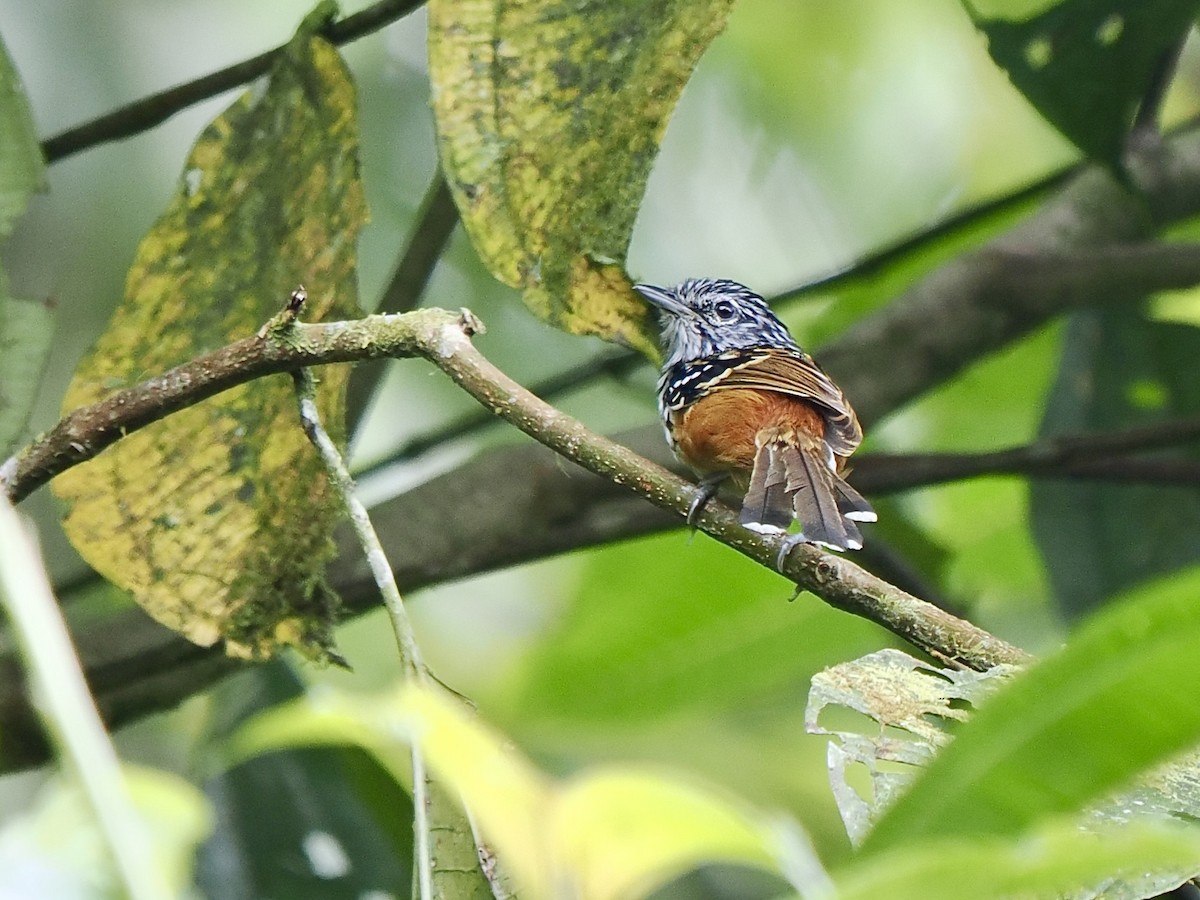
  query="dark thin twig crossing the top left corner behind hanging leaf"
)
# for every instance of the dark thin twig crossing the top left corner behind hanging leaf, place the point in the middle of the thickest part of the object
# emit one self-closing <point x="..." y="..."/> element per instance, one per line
<point x="155" y="109"/>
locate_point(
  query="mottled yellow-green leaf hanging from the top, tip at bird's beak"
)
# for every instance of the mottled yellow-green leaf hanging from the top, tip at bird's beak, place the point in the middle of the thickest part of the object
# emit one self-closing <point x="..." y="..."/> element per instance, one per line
<point x="549" y="118"/>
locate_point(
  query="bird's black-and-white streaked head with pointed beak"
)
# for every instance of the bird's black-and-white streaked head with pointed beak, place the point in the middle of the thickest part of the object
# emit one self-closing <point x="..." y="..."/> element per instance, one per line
<point x="704" y="317"/>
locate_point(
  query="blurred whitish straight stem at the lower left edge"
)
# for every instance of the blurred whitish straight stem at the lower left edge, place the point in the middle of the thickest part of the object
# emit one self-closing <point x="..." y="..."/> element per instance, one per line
<point x="68" y="710"/>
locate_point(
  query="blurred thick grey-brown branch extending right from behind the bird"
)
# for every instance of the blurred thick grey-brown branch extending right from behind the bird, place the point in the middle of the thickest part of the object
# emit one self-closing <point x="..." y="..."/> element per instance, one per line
<point x="1010" y="287"/>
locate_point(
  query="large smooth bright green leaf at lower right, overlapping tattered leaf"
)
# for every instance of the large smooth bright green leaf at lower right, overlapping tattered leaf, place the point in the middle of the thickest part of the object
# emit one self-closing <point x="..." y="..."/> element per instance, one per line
<point x="1045" y="745"/>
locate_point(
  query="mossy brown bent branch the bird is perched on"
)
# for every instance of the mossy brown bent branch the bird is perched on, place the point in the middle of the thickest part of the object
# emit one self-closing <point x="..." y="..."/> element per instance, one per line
<point x="445" y="339"/>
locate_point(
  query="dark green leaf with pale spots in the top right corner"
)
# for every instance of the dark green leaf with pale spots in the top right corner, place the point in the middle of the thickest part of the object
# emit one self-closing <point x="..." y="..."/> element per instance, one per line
<point x="1087" y="64"/>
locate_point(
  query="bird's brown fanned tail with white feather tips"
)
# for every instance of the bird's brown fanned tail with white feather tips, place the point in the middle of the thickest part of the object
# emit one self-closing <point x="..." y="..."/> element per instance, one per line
<point x="795" y="479"/>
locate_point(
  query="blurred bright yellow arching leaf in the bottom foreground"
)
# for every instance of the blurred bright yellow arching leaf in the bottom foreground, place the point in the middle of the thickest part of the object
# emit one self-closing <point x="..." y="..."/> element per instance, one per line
<point x="608" y="833"/>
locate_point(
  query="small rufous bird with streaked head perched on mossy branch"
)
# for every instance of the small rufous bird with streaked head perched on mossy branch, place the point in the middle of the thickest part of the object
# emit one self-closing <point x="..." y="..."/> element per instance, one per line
<point x="741" y="400"/>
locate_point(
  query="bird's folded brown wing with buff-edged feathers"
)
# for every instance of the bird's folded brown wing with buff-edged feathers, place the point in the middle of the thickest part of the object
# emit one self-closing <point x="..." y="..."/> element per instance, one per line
<point x="796" y="375"/>
